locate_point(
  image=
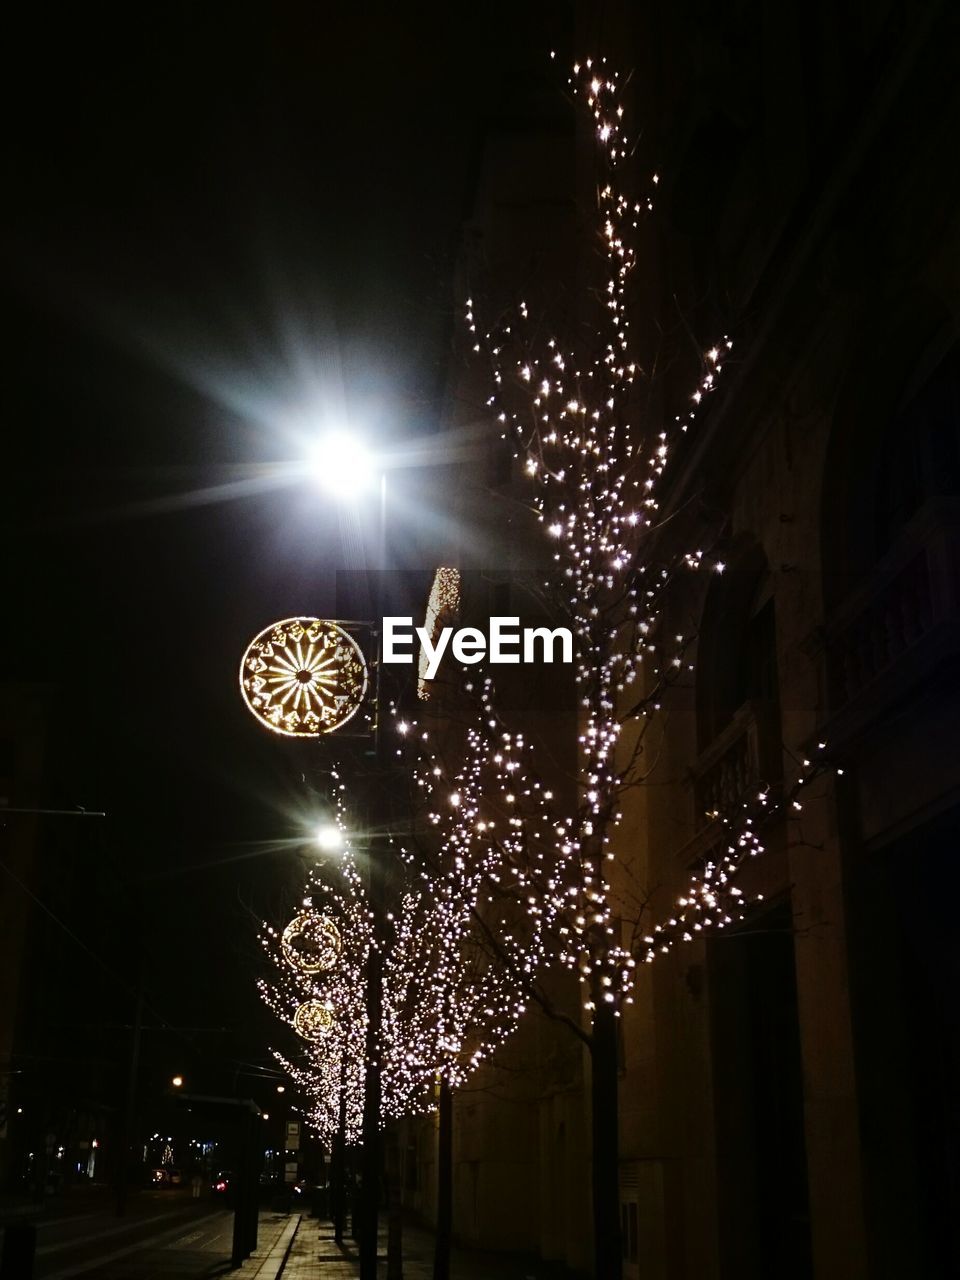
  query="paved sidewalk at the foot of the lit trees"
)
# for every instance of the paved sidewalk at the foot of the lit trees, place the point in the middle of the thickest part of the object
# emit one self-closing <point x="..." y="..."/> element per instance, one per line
<point x="316" y="1256"/>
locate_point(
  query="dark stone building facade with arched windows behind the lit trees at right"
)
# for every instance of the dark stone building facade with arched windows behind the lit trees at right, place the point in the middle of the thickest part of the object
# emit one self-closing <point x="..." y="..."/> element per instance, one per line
<point x="788" y="1091"/>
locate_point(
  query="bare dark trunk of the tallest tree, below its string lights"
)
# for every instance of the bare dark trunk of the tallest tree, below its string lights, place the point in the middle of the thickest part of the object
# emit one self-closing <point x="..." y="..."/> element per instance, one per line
<point x="605" y="1084"/>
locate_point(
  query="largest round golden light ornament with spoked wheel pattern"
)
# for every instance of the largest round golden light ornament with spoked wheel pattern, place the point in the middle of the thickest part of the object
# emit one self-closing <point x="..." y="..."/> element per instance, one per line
<point x="304" y="678"/>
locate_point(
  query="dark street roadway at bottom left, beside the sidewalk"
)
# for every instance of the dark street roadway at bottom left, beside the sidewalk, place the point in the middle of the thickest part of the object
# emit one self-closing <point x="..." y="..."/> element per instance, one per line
<point x="166" y="1236"/>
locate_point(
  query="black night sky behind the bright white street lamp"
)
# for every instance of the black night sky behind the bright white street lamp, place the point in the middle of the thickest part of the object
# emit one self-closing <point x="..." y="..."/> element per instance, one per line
<point x="225" y="228"/>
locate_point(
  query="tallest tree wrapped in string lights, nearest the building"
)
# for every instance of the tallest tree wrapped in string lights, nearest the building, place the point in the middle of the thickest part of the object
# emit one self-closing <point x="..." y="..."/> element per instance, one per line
<point x="574" y="413"/>
